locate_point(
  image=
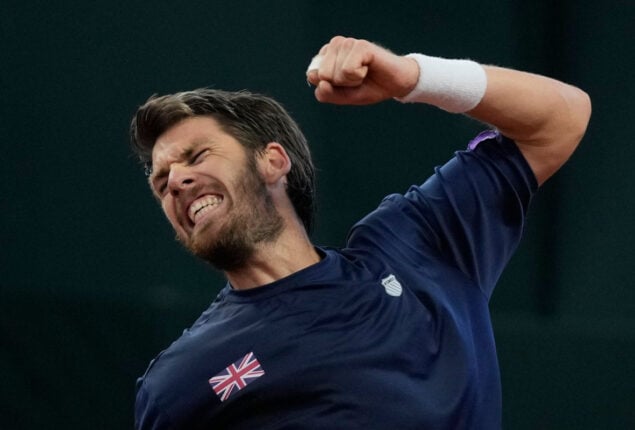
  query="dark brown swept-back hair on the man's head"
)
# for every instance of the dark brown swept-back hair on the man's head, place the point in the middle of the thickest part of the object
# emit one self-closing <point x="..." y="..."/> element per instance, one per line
<point x="252" y="119"/>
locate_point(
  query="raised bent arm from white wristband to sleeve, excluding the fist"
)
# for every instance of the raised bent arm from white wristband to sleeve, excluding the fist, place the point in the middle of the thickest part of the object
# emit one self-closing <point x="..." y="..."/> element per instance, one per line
<point x="545" y="117"/>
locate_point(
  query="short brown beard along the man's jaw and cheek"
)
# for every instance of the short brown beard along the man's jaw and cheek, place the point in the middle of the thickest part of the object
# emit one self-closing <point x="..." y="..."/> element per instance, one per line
<point x="254" y="220"/>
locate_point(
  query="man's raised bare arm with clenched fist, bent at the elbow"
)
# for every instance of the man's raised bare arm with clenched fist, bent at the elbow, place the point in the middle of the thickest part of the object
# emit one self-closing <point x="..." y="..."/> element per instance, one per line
<point x="545" y="117"/>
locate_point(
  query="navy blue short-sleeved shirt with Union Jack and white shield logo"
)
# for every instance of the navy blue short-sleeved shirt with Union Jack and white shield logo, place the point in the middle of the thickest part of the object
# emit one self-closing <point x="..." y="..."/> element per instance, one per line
<point x="391" y="332"/>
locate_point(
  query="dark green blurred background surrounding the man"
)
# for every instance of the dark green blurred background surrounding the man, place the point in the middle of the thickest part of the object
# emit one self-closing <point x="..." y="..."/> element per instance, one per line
<point x="93" y="285"/>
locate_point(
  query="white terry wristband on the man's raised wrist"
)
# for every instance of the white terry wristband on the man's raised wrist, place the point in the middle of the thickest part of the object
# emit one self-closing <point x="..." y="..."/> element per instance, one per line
<point x="453" y="85"/>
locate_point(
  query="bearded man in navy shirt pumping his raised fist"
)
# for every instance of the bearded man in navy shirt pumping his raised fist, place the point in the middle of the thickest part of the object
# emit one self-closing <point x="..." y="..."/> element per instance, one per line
<point x="390" y="332"/>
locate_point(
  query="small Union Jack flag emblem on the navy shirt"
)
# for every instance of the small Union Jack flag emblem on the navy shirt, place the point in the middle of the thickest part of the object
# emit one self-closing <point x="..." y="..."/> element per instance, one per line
<point x="236" y="376"/>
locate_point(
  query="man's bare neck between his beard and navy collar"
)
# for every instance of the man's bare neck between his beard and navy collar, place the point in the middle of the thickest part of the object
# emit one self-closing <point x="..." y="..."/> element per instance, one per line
<point x="291" y="252"/>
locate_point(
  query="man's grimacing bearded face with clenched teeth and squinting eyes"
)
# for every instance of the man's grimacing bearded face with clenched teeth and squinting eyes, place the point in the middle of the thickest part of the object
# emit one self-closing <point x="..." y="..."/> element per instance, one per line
<point x="212" y="193"/>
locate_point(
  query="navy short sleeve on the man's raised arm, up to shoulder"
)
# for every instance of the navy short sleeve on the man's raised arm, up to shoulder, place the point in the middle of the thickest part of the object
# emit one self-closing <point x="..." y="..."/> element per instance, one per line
<point x="469" y="214"/>
